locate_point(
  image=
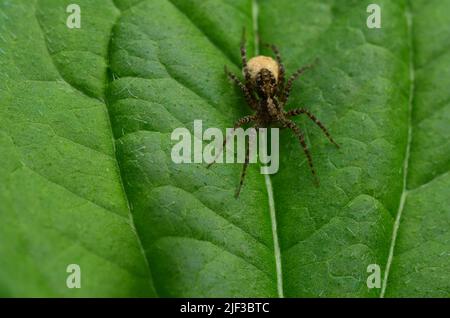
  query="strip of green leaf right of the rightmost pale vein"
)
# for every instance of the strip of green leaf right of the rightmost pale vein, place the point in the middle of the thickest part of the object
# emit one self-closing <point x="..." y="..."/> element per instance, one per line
<point x="421" y="258"/>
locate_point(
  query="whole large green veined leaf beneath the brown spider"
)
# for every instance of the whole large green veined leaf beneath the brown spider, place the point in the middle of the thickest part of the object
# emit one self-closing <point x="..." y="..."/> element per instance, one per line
<point x="86" y="118"/>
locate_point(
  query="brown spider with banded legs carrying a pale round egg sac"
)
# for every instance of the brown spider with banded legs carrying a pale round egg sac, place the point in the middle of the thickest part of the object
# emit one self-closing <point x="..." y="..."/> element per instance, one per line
<point x="266" y="92"/>
